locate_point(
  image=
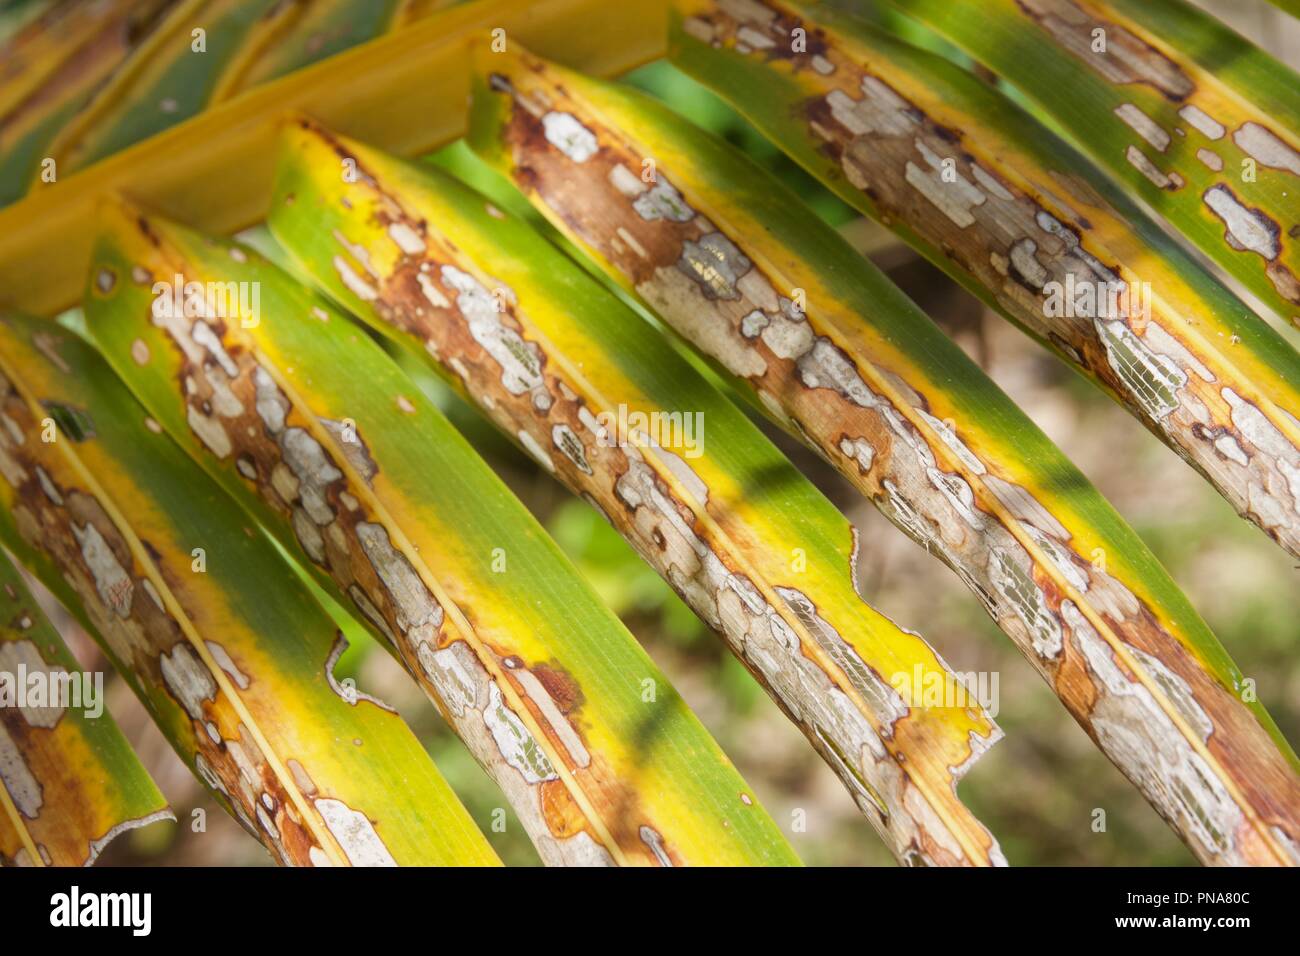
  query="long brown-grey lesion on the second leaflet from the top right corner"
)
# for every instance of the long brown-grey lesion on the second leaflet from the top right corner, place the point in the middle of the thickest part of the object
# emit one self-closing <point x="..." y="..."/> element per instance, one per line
<point x="1030" y="249"/>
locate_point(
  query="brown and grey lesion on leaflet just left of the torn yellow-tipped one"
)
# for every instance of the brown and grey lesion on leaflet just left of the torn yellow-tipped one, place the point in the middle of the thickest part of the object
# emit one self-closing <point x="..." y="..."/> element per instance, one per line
<point x="305" y="471"/>
